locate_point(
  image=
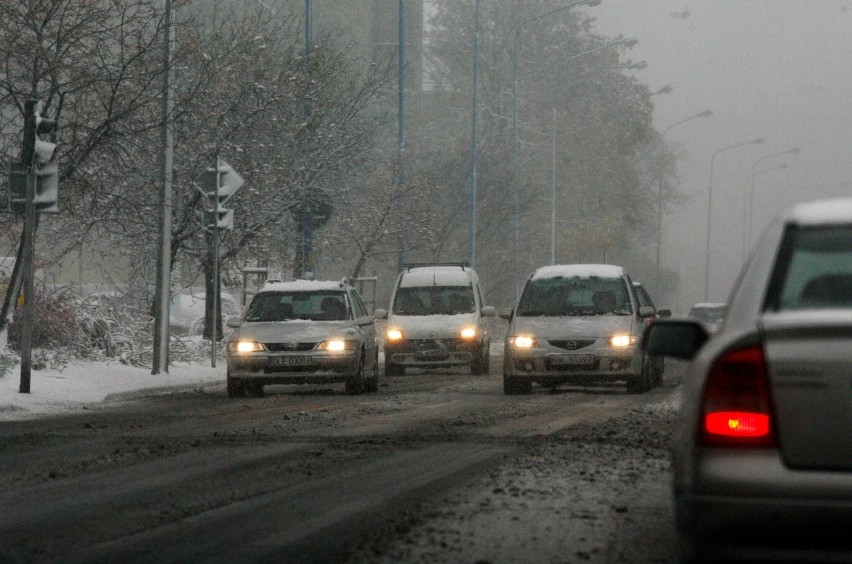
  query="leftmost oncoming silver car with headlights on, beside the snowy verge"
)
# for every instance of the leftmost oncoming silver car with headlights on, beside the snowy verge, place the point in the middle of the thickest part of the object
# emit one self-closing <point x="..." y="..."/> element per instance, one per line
<point x="303" y="332"/>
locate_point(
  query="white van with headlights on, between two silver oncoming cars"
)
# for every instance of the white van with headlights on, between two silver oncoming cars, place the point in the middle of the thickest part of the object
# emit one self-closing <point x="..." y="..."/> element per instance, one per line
<point x="436" y="320"/>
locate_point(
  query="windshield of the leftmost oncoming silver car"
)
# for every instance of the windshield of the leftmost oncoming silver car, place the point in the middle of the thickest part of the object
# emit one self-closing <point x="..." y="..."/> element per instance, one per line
<point x="283" y="306"/>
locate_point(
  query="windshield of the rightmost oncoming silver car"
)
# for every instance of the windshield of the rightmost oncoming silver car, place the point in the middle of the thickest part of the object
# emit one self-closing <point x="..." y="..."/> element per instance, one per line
<point x="570" y="295"/>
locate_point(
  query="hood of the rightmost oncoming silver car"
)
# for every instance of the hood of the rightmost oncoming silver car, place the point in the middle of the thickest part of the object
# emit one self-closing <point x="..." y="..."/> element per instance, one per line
<point x="569" y="327"/>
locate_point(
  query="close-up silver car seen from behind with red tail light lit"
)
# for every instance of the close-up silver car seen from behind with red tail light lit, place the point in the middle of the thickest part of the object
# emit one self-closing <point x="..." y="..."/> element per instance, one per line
<point x="763" y="455"/>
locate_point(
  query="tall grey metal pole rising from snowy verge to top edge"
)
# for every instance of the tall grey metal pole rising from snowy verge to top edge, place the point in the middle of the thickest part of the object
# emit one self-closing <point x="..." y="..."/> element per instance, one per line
<point x="164" y="259"/>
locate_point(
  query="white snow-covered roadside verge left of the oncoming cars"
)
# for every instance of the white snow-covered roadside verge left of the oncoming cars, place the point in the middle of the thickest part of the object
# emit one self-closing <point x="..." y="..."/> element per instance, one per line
<point x="80" y="385"/>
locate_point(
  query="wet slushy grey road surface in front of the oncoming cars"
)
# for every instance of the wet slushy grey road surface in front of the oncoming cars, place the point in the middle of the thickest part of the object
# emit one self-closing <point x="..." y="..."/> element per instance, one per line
<point x="435" y="467"/>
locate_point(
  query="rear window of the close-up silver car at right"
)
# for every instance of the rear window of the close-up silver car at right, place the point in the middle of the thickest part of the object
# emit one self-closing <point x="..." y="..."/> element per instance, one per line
<point x="819" y="271"/>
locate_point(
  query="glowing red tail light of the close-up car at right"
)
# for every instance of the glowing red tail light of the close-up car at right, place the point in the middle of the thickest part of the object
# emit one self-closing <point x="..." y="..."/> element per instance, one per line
<point x="736" y="408"/>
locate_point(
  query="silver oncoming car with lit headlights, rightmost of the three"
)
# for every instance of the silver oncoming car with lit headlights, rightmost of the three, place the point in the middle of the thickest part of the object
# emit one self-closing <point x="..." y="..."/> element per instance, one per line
<point x="578" y="324"/>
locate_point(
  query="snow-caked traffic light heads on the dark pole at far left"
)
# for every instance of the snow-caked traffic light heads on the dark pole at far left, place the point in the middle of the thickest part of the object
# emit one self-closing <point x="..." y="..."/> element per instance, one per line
<point x="37" y="155"/>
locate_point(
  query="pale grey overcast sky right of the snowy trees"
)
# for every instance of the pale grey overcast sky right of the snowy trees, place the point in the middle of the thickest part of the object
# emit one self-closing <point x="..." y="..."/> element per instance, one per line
<point x="780" y="70"/>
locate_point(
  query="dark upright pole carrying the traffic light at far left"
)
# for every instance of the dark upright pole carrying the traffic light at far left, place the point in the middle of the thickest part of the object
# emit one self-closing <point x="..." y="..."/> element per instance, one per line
<point x="28" y="245"/>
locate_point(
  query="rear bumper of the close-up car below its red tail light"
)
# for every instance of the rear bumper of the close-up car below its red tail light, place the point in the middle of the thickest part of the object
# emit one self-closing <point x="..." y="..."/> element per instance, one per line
<point x="748" y="505"/>
